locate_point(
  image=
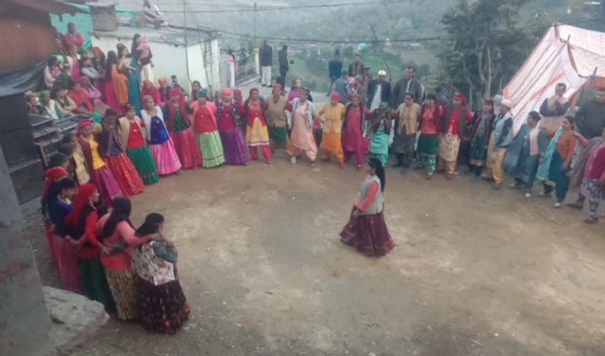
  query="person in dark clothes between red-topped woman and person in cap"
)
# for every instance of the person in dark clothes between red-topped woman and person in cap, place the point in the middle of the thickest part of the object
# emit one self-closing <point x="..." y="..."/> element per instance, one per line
<point x="480" y="135"/>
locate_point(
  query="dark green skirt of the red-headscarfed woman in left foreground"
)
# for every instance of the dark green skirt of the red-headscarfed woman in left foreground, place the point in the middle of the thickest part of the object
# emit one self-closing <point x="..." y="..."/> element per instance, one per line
<point x="94" y="283"/>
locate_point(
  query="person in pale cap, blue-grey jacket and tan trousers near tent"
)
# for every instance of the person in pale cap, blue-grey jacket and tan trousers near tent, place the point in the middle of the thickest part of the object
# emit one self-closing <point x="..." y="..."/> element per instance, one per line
<point x="501" y="137"/>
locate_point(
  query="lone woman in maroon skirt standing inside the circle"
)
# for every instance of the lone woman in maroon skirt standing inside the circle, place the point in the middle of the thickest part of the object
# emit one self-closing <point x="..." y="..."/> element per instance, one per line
<point x="366" y="229"/>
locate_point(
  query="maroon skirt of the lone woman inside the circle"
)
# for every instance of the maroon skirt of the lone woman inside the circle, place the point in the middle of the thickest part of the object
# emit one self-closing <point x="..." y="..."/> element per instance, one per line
<point x="368" y="234"/>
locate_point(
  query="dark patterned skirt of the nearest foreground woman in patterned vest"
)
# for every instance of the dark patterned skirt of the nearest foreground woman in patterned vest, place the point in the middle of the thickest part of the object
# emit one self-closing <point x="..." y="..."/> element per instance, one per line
<point x="163" y="308"/>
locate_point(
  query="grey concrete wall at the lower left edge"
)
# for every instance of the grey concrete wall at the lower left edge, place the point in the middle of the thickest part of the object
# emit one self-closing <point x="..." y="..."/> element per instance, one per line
<point x="24" y="319"/>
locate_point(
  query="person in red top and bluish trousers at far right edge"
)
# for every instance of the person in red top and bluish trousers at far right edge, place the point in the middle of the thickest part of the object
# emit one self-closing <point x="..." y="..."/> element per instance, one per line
<point x="593" y="178"/>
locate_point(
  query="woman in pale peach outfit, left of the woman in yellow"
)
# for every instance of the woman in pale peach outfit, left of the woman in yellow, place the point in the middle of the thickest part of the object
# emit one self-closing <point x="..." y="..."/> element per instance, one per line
<point x="301" y="138"/>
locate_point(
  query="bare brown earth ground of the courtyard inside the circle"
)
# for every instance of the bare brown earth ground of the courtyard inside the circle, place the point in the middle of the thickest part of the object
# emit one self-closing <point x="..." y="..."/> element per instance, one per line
<point x="475" y="272"/>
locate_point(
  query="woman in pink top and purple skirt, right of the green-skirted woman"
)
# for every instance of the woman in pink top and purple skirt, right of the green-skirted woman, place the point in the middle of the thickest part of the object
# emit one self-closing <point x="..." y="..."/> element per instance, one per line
<point x="229" y="126"/>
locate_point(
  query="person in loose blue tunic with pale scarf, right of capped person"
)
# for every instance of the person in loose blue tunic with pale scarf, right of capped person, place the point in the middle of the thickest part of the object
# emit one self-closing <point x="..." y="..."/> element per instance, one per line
<point x="526" y="153"/>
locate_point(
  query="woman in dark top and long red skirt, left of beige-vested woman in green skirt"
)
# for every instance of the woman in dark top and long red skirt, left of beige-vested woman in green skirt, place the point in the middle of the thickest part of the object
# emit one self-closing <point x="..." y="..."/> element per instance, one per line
<point x="120" y="165"/>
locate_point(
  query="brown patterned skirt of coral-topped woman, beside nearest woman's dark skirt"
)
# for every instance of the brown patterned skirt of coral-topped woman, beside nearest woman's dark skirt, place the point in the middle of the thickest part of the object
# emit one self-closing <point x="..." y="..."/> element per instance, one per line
<point x="124" y="291"/>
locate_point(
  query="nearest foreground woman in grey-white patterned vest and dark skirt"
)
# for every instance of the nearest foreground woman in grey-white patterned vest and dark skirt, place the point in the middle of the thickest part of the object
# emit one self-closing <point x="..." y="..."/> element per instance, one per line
<point x="162" y="304"/>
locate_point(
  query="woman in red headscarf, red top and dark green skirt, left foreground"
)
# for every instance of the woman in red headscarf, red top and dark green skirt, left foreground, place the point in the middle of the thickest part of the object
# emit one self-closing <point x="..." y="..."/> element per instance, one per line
<point x="82" y="221"/>
